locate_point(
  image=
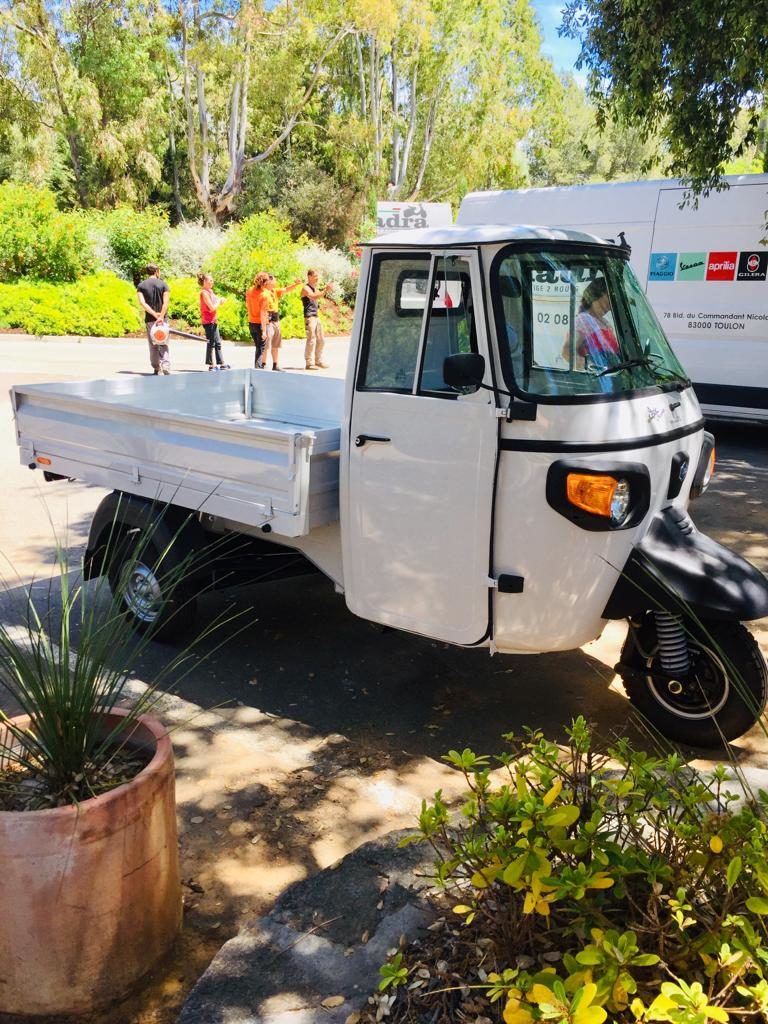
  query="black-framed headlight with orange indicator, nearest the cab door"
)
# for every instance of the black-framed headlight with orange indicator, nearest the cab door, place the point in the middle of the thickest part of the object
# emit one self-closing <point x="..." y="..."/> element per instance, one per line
<point x="604" y="497"/>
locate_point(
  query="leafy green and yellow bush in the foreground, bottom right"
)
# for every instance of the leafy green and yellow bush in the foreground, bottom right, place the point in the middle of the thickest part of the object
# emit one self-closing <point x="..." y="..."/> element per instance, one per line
<point x="631" y="889"/>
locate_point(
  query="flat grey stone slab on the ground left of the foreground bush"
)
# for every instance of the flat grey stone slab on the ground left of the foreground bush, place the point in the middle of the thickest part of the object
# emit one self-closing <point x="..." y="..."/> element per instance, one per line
<point x="326" y="937"/>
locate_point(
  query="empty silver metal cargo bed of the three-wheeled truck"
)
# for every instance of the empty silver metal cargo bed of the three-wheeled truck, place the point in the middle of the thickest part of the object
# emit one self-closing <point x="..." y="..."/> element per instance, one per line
<point x="247" y="446"/>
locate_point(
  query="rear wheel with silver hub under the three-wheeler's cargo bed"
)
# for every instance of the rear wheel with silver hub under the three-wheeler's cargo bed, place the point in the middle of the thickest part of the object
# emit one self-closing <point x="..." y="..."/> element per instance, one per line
<point x="149" y="585"/>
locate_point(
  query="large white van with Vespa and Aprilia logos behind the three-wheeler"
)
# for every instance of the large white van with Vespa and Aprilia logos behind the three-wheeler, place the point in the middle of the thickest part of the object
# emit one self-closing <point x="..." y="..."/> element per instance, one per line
<point x="704" y="270"/>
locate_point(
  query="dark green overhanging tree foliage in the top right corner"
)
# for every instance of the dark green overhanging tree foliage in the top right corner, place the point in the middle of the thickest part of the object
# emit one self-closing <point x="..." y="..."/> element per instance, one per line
<point x="695" y="74"/>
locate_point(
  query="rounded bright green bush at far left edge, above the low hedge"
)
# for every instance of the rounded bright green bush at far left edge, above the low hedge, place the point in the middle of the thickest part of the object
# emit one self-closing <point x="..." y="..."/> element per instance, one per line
<point x="36" y="240"/>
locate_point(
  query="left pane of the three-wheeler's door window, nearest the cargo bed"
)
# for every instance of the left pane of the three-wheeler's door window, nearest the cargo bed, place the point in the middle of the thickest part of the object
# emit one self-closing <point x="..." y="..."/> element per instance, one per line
<point x="394" y="321"/>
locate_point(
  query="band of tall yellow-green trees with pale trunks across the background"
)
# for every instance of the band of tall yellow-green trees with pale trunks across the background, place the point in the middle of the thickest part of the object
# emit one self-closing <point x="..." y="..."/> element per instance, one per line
<point x="216" y="109"/>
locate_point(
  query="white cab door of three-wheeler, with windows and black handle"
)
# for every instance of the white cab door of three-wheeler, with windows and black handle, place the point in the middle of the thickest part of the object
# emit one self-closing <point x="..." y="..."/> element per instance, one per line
<point x="417" y="491"/>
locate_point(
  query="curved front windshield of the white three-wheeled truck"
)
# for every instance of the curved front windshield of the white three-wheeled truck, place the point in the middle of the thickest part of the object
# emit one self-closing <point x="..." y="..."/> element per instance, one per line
<point x="577" y="325"/>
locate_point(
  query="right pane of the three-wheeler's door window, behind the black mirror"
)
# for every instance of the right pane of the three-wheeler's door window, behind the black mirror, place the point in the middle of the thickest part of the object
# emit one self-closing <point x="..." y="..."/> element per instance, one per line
<point x="452" y="322"/>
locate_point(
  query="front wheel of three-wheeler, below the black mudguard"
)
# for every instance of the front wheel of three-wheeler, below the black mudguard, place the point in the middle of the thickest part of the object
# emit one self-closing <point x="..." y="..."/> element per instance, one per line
<point x="722" y="696"/>
